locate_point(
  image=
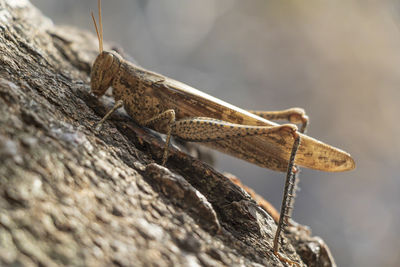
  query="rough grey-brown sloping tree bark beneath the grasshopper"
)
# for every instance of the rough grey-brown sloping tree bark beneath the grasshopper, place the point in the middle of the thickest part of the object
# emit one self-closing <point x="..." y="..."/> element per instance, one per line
<point x="72" y="196"/>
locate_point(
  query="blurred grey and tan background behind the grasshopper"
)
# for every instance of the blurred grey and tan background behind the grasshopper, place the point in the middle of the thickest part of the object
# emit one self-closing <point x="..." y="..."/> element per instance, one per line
<point x="339" y="60"/>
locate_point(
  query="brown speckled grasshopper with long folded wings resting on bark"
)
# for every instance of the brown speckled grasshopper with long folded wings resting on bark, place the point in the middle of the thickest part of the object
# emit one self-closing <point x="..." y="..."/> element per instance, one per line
<point x="176" y="109"/>
